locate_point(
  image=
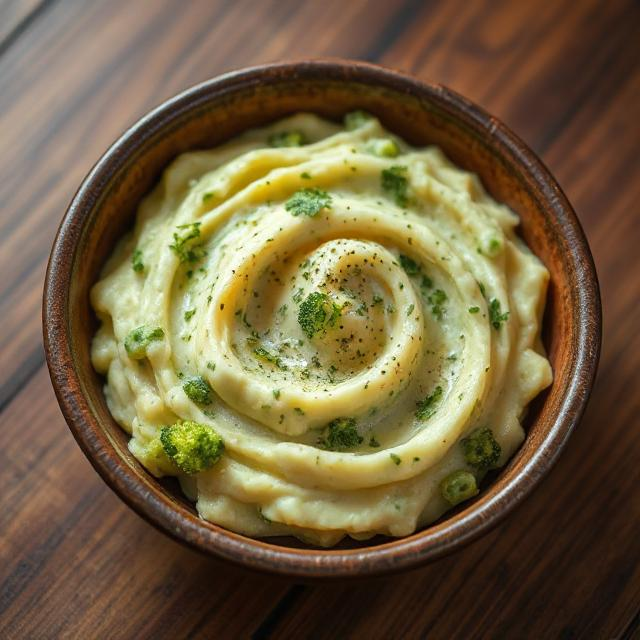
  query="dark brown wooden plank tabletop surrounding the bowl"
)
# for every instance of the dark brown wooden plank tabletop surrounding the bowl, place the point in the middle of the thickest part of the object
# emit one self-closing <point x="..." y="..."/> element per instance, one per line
<point x="74" y="561"/>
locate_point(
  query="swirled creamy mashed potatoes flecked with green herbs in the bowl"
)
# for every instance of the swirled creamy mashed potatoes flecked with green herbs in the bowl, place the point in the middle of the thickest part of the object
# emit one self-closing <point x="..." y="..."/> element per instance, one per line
<point x="350" y="308"/>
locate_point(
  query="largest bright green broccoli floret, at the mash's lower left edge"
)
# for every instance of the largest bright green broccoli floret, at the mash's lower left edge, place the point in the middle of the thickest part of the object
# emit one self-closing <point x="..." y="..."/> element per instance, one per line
<point x="192" y="446"/>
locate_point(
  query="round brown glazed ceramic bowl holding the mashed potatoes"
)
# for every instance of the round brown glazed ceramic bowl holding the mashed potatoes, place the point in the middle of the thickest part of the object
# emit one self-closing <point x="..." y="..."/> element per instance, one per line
<point x="210" y="113"/>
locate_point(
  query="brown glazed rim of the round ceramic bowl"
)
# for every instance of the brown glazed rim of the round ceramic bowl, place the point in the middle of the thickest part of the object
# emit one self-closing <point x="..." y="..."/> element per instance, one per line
<point x="395" y="555"/>
